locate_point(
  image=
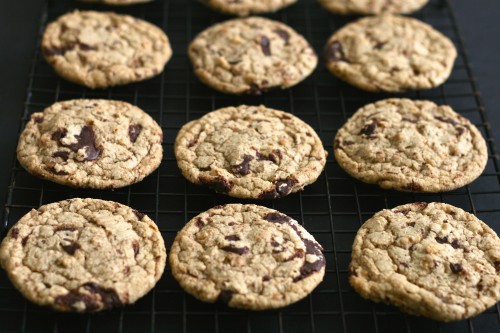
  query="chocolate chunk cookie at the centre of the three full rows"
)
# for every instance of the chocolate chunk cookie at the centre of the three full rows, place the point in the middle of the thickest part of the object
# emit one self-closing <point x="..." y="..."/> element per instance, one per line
<point x="250" y="152"/>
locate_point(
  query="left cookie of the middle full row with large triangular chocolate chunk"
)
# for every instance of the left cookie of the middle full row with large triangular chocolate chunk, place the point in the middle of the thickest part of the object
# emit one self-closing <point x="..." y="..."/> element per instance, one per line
<point x="91" y="143"/>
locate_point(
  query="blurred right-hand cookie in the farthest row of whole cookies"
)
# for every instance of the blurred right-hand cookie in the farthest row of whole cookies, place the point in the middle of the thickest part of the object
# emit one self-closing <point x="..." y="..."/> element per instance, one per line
<point x="390" y="53"/>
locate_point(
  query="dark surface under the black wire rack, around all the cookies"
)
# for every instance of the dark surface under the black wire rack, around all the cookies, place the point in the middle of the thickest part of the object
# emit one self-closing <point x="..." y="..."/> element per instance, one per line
<point x="331" y="209"/>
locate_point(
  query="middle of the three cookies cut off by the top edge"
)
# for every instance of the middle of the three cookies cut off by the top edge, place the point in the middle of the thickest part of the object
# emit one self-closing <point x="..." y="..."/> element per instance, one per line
<point x="247" y="7"/>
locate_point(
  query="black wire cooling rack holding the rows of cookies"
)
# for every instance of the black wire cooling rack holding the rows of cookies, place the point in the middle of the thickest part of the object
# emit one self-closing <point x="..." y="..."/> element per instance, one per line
<point x="332" y="208"/>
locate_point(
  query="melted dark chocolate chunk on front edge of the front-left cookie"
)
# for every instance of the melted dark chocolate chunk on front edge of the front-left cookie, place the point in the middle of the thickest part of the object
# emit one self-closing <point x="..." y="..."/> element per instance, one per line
<point x="109" y="297"/>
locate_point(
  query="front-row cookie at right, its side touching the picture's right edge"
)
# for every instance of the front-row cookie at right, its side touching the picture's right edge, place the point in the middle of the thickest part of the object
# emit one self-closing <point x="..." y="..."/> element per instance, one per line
<point x="428" y="259"/>
